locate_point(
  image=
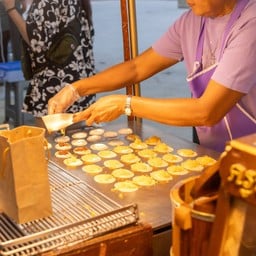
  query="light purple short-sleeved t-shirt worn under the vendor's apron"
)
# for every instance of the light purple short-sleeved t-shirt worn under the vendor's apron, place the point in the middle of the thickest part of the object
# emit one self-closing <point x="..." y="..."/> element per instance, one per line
<point x="237" y="67"/>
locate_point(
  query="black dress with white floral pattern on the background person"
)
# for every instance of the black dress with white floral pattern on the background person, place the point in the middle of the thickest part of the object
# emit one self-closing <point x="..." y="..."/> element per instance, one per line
<point x="46" y="18"/>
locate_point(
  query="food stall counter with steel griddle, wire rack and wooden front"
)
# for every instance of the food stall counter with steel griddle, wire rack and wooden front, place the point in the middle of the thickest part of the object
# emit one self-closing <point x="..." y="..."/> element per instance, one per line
<point x="88" y="214"/>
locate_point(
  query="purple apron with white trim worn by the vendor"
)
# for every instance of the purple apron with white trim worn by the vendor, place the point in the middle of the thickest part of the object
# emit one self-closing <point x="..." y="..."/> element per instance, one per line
<point x="237" y="122"/>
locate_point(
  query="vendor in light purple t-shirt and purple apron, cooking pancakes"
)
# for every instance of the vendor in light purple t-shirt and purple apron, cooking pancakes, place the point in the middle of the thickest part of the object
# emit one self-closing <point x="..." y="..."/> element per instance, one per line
<point x="216" y="39"/>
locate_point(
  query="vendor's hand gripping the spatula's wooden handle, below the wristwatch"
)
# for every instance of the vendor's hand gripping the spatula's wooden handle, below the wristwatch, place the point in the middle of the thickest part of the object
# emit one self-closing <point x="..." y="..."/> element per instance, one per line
<point x="106" y="109"/>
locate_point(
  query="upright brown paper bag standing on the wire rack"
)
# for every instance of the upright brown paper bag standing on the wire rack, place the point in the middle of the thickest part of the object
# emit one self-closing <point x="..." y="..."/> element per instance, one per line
<point x="24" y="184"/>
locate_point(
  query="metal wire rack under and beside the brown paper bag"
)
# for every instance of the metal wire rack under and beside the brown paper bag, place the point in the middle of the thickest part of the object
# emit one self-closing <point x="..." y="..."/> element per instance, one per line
<point x="79" y="213"/>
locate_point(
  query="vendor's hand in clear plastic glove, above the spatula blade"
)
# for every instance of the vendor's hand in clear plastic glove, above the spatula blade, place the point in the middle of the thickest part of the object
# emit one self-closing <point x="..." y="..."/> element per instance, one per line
<point x="63" y="100"/>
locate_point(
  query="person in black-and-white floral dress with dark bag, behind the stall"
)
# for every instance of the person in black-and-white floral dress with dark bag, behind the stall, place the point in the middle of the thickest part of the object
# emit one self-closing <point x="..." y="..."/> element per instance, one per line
<point x="57" y="39"/>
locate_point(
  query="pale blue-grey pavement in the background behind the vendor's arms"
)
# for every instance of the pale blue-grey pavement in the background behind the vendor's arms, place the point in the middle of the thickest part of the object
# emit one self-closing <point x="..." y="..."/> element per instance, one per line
<point x="152" y="18"/>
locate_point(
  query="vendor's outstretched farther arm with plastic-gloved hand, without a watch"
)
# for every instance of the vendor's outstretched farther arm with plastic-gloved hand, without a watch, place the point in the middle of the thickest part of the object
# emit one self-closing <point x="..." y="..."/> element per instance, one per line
<point x="127" y="73"/>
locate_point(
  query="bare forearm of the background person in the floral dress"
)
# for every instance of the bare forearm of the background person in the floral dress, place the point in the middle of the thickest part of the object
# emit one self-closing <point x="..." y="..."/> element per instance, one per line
<point x="16" y="18"/>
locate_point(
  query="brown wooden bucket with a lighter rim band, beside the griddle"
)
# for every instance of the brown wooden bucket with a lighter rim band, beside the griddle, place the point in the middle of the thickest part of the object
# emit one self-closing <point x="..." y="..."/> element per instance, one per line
<point x="192" y="220"/>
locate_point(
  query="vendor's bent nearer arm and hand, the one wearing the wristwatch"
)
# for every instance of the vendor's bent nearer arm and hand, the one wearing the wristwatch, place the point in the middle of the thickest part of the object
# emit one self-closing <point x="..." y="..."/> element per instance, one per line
<point x="207" y="110"/>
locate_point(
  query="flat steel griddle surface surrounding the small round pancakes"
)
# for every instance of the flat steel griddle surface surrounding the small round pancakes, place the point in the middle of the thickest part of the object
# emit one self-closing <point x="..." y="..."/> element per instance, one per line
<point x="153" y="202"/>
